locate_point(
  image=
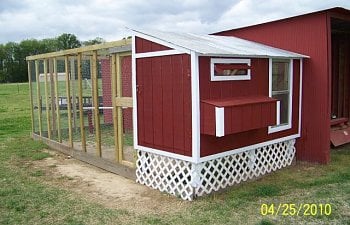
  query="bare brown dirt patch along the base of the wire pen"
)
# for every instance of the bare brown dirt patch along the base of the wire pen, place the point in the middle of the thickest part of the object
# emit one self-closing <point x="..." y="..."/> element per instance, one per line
<point x="106" y="188"/>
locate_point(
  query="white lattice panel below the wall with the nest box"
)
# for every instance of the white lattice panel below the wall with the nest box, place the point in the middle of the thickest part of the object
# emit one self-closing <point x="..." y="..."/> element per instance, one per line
<point x="233" y="169"/>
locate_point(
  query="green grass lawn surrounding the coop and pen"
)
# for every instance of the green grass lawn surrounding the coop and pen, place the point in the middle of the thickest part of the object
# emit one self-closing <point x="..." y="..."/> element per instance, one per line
<point x="25" y="197"/>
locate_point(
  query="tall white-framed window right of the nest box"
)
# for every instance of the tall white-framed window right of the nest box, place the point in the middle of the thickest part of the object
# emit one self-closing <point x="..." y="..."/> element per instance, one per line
<point x="281" y="78"/>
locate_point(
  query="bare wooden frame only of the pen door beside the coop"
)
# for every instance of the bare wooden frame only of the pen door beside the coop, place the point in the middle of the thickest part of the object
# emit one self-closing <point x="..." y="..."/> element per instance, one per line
<point x="119" y="103"/>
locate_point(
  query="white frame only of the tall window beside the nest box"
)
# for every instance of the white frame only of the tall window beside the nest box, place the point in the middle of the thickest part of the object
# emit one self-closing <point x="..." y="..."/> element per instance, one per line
<point x="278" y="127"/>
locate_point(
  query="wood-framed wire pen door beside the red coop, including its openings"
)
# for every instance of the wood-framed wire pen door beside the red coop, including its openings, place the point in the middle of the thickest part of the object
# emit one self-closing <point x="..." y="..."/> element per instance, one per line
<point x="122" y="108"/>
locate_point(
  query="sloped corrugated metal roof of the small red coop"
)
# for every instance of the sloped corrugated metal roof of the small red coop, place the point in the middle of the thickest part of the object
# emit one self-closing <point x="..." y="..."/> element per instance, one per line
<point x="219" y="45"/>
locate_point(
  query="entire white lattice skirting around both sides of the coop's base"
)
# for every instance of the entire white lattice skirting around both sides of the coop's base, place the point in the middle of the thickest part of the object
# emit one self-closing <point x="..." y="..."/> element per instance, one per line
<point x="188" y="180"/>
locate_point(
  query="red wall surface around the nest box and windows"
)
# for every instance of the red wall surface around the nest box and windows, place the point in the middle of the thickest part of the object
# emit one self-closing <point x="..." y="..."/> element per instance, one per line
<point x="258" y="85"/>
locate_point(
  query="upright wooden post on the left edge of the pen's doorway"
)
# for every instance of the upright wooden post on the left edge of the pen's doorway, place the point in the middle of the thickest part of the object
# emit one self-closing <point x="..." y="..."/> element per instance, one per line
<point x="115" y="115"/>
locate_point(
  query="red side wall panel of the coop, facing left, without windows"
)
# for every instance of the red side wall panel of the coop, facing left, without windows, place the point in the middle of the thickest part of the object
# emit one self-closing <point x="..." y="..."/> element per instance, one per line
<point x="164" y="103"/>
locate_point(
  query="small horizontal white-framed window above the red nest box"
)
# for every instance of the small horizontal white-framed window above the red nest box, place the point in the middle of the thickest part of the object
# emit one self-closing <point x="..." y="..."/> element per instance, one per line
<point x="229" y="69"/>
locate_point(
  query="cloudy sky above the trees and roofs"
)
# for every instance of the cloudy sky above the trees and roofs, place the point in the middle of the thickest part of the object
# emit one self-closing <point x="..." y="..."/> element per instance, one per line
<point x="25" y="19"/>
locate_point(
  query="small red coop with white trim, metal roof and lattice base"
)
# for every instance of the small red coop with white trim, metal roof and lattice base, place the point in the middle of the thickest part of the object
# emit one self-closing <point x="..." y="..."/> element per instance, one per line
<point x="211" y="111"/>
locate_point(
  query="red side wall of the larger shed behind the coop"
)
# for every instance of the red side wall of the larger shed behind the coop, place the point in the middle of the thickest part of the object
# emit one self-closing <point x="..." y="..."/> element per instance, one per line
<point x="309" y="35"/>
